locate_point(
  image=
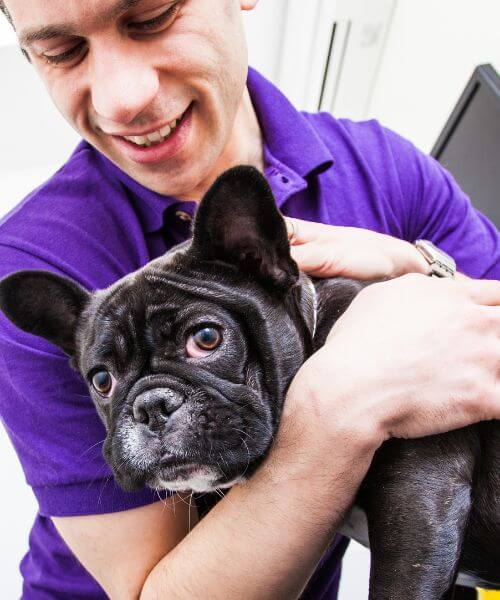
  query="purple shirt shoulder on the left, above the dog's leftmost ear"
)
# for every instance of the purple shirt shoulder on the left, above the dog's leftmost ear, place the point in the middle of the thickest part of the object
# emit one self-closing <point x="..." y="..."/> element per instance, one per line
<point x="78" y="219"/>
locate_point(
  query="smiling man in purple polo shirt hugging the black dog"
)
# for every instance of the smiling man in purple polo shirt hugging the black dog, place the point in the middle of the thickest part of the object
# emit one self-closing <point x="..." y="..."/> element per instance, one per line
<point x="159" y="90"/>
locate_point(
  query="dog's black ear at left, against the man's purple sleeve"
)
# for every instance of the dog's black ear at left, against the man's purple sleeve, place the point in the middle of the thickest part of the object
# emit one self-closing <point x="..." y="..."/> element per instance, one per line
<point x="44" y="304"/>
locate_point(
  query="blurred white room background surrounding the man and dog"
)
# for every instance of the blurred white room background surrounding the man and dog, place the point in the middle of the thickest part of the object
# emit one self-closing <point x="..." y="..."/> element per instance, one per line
<point x="402" y="62"/>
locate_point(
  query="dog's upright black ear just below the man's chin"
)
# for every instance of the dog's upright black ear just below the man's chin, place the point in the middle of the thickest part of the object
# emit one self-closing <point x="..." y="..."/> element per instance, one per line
<point x="238" y="222"/>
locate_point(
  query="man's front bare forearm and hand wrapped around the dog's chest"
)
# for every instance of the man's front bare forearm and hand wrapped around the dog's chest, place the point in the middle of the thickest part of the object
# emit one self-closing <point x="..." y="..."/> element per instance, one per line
<point x="411" y="357"/>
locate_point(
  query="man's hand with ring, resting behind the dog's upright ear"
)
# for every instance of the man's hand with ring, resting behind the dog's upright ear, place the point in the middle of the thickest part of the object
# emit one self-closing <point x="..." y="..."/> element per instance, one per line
<point x="329" y="251"/>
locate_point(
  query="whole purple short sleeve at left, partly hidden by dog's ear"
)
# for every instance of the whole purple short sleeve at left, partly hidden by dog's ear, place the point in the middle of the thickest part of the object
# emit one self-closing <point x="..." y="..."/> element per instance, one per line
<point x="79" y="226"/>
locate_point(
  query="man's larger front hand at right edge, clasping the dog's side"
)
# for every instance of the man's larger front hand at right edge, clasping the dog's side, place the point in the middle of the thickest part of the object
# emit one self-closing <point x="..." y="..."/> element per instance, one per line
<point x="411" y="357"/>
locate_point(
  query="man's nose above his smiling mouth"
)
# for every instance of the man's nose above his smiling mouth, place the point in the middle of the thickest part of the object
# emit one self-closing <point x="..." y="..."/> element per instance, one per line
<point x="122" y="85"/>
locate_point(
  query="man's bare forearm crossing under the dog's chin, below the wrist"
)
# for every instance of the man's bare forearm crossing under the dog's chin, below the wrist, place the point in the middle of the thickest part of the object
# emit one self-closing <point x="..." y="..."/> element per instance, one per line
<point x="265" y="538"/>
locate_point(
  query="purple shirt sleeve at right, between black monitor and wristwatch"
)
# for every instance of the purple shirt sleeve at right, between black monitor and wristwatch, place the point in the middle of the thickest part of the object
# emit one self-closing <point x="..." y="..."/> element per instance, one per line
<point x="436" y="208"/>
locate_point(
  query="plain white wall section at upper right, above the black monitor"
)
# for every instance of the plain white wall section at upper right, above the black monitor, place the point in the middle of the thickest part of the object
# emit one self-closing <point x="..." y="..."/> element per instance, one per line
<point x="432" y="49"/>
